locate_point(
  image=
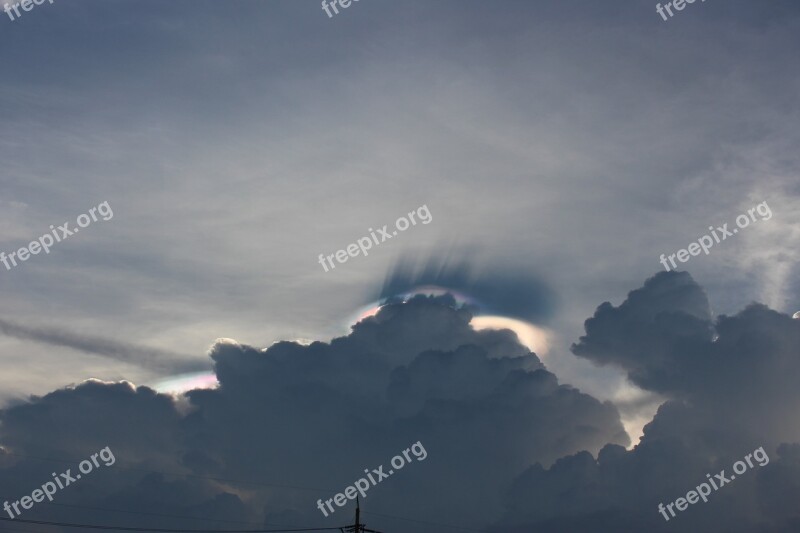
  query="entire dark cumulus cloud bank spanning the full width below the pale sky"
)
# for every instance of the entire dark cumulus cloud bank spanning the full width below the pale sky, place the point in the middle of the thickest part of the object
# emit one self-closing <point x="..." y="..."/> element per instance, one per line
<point x="509" y="449"/>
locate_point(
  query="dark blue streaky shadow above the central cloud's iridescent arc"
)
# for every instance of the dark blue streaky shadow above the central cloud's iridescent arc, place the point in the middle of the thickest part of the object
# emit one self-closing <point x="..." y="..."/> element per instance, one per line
<point x="503" y="291"/>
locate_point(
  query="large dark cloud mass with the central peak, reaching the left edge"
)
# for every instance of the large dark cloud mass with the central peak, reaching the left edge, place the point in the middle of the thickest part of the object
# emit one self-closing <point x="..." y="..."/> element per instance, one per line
<point x="313" y="417"/>
